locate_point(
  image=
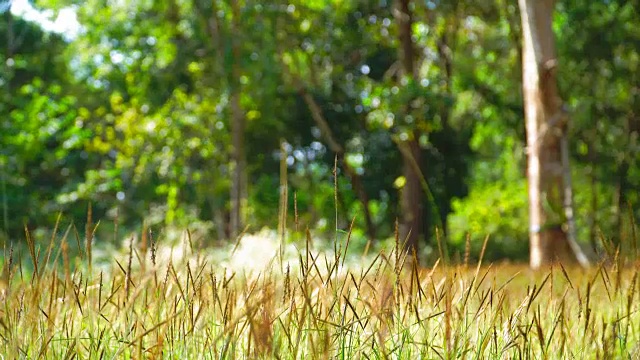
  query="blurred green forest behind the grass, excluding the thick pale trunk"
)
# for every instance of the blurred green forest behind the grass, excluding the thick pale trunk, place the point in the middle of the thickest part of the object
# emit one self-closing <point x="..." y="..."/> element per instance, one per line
<point x="195" y="114"/>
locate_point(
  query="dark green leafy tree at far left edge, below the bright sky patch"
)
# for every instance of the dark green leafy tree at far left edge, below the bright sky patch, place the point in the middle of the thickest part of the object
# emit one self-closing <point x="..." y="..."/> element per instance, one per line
<point x="40" y="137"/>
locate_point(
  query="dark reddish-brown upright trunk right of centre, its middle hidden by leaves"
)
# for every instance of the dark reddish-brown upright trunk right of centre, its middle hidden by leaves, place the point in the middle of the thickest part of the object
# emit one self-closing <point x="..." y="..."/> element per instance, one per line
<point x="410" y="200"/>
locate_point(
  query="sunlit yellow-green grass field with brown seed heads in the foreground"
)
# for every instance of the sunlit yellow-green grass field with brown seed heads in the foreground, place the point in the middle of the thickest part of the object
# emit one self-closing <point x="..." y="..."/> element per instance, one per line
<point x="311" y="305"/>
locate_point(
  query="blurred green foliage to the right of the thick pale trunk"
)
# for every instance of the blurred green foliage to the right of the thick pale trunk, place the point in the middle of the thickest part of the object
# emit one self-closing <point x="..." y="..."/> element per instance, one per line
<point x="605" y="126"/>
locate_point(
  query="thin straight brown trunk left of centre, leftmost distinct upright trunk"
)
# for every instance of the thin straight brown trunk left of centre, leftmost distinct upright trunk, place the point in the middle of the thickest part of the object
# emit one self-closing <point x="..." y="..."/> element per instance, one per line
<point x="238" y="157"/>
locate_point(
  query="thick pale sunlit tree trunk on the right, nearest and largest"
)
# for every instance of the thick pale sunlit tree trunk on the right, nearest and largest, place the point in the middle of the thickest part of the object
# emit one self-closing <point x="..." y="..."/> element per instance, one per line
<point x="546" y="126"/>
